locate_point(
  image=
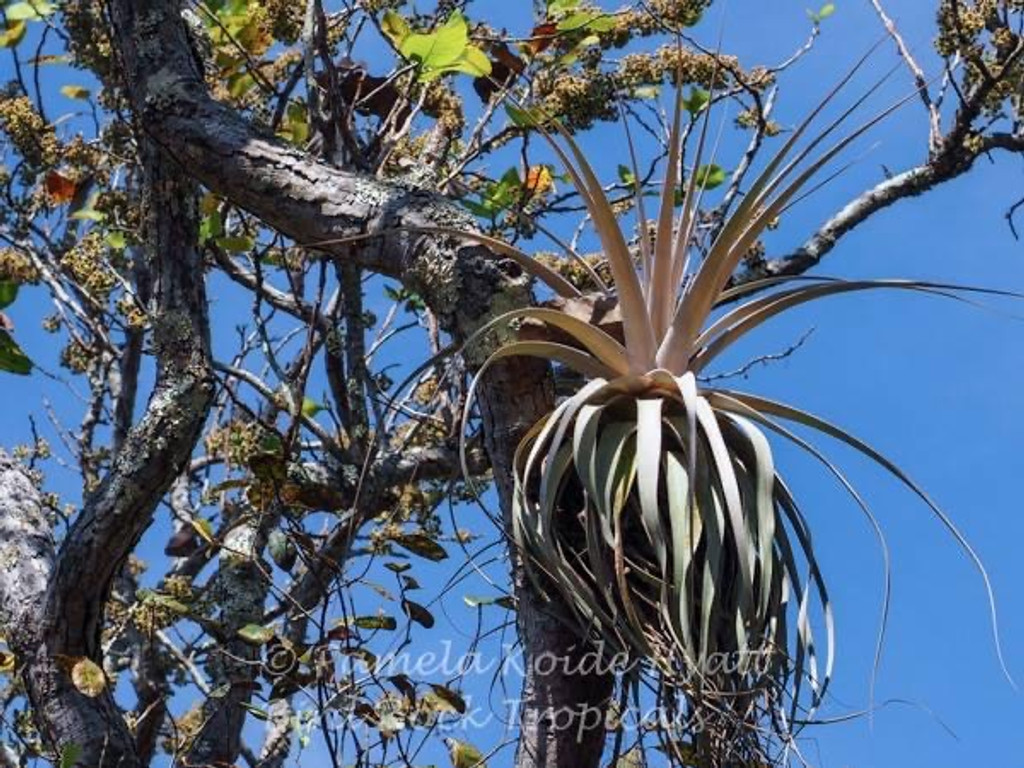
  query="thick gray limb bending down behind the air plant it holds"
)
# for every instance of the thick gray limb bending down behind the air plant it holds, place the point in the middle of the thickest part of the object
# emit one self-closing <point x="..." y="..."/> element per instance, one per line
<point x="315" y="203"/>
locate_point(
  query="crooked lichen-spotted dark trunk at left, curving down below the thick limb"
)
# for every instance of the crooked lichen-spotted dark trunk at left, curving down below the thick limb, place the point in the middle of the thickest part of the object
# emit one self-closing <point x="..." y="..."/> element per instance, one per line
<point x="65" y="624"/>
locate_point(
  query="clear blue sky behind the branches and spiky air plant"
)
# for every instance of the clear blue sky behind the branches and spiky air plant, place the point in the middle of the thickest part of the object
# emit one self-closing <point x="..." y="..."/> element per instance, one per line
<point x="933" y="385"/>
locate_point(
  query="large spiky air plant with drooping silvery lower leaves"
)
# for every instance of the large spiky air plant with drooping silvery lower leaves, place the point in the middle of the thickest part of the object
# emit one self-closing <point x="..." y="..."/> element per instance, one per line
<point x="651" y="501"/>
